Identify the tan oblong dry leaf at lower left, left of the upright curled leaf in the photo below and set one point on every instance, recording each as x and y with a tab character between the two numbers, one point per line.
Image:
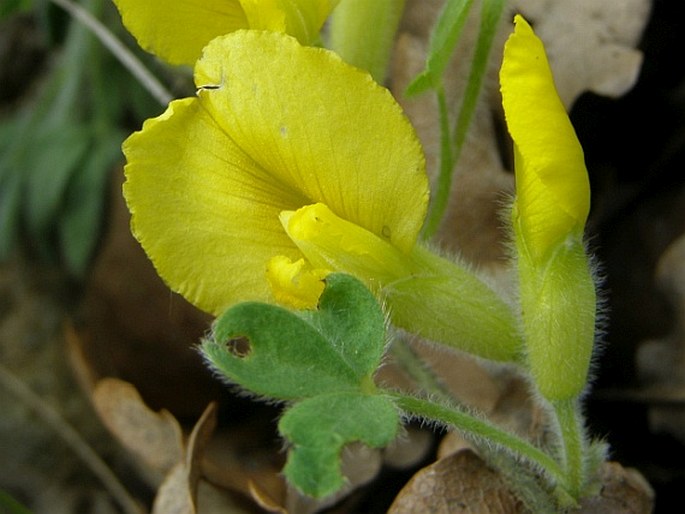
154	438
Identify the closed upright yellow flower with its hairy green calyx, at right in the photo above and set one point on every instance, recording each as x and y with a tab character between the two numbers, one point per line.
556	287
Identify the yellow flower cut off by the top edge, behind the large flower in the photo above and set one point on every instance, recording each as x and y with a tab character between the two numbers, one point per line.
177	31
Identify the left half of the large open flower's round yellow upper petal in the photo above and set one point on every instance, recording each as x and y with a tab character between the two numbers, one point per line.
203	211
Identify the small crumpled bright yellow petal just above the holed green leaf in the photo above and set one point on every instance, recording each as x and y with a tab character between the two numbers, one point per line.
293	284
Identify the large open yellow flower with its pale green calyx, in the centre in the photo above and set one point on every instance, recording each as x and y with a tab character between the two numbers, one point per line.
288	165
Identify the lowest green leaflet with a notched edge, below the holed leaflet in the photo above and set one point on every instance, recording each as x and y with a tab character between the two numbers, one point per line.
318	429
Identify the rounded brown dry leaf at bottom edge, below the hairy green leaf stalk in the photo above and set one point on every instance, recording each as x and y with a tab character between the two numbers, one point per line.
458	484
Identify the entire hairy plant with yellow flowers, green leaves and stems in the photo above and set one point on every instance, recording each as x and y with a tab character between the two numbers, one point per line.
288	198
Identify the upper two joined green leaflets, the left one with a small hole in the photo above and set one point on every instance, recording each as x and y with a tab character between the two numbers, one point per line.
288	355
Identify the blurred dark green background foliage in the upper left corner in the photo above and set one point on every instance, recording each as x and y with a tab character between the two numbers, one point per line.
61	141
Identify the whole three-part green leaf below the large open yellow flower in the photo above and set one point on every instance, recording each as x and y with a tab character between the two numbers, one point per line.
324	360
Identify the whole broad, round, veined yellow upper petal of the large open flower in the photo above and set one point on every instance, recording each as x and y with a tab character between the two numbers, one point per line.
207	180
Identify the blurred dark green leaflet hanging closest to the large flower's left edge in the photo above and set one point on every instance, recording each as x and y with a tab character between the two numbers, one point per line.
81	218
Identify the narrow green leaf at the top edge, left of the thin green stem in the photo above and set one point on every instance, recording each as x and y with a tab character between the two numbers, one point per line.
444	38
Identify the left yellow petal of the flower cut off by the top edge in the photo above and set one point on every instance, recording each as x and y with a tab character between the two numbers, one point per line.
177	31
